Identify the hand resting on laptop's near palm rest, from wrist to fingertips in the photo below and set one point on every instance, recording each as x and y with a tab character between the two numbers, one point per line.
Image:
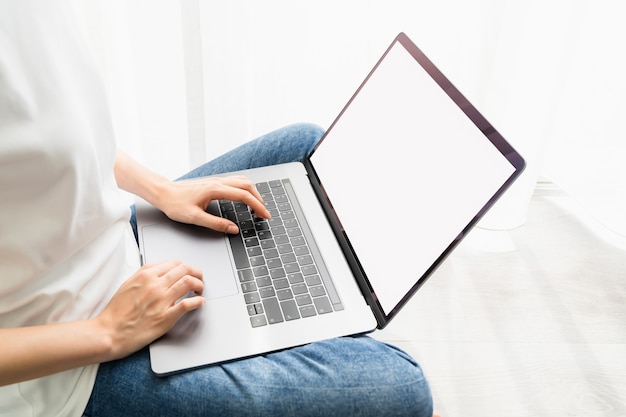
148	305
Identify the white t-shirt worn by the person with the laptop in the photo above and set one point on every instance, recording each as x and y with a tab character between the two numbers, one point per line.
65	242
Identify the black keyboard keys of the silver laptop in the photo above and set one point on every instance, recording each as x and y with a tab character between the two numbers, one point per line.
280	270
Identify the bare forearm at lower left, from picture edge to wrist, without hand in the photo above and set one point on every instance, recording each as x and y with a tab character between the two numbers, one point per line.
32	352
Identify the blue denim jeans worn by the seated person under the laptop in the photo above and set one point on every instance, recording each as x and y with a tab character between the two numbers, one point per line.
348	376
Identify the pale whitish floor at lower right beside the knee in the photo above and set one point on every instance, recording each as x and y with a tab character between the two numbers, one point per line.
529	322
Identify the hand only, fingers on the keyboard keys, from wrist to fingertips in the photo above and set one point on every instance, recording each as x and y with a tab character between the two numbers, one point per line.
186	201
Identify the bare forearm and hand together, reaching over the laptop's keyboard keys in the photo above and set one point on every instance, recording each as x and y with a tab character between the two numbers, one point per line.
186	201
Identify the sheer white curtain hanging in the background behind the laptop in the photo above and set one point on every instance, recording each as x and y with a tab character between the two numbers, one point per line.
190	79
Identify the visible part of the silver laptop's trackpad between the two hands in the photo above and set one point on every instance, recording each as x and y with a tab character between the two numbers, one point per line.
202	248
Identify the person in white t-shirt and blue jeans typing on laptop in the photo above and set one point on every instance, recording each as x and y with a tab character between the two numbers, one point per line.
76	309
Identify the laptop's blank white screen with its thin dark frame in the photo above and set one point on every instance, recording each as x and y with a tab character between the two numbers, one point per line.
408	167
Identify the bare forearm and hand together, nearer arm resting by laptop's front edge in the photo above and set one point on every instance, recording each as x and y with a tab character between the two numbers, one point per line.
143	309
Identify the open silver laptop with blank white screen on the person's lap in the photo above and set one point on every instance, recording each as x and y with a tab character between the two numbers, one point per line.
400	177
